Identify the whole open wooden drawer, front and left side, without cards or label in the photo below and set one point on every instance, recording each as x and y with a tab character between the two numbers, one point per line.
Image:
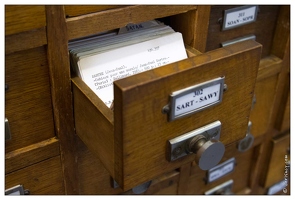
131	140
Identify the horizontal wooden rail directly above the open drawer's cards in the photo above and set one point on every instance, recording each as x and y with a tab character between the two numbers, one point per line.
94	23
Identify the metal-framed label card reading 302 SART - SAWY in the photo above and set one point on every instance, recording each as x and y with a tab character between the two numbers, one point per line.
195	98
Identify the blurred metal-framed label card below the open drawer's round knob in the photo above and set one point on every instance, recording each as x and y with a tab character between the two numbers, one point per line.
220	170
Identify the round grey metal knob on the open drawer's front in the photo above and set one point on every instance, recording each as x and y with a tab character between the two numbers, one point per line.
208	152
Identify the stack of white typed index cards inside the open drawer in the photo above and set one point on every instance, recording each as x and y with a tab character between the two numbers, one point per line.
100	60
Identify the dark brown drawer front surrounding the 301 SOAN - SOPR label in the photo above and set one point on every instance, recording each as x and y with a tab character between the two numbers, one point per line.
263	28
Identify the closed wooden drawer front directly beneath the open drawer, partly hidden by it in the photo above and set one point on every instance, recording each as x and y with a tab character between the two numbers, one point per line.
95	179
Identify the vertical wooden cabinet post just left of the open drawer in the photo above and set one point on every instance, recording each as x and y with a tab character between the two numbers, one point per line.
59	70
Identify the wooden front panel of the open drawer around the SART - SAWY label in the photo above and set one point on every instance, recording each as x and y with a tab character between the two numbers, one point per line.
142	130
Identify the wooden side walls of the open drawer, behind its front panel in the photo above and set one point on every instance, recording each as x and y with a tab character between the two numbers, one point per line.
88	105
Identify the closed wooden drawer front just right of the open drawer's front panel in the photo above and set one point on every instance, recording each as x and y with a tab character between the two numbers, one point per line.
265	91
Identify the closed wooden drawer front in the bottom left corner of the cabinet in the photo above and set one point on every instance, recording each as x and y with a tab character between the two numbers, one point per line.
41	179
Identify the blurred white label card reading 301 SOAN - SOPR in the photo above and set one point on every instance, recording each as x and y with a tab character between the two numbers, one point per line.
239	16
